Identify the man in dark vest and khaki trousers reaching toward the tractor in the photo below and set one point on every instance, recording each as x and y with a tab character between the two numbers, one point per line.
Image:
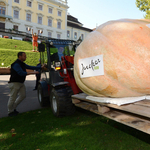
16	82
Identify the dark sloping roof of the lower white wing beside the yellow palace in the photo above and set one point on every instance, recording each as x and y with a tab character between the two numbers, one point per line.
73	22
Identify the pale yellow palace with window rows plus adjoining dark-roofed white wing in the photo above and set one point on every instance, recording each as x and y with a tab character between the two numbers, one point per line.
50	16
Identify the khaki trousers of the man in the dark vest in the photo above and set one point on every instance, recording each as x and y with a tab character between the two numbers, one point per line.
16	89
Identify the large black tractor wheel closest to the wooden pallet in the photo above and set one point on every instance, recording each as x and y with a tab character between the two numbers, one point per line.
61	102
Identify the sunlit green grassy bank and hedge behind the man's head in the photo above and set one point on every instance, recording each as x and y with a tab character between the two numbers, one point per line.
8	52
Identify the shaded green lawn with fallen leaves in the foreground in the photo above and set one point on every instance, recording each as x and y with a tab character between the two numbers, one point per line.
41	130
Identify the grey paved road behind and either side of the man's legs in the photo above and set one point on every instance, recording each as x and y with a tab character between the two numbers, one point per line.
29	103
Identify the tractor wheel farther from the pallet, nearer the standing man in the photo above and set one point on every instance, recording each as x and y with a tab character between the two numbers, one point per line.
44	101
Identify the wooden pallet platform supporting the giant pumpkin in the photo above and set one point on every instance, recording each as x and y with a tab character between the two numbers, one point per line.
135	115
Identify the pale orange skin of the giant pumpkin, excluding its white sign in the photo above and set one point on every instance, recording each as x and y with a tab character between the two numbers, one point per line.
125	46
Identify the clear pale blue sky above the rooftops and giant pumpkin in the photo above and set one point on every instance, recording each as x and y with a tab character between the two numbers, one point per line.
96	12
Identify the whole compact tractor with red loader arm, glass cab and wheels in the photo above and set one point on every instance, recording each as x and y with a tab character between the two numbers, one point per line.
57	82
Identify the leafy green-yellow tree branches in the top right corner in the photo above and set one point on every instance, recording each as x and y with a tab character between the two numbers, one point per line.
144	5
